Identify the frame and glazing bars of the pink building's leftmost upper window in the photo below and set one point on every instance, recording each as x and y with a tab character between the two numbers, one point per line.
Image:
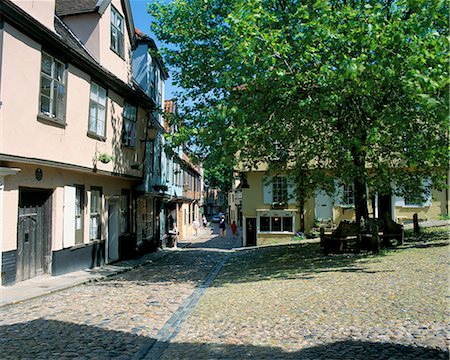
50	116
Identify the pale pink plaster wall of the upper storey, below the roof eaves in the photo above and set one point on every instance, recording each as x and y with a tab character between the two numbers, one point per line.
23	135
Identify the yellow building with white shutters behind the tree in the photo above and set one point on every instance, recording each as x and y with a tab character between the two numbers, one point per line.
271	214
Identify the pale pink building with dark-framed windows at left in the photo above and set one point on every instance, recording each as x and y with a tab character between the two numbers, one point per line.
73	138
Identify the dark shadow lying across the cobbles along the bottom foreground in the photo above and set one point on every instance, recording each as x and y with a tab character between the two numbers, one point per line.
49	339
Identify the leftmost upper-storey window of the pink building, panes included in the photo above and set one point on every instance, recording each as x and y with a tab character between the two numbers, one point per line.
53	88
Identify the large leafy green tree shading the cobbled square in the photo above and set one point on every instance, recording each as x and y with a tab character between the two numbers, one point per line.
324	90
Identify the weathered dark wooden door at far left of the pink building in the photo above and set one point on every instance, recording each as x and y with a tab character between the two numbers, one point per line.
33	233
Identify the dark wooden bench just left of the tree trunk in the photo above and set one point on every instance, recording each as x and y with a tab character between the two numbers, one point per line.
345	237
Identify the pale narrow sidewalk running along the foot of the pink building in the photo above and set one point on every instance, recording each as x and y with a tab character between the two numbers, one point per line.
46	284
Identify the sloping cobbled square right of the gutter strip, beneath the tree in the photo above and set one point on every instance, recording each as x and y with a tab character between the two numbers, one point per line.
292	303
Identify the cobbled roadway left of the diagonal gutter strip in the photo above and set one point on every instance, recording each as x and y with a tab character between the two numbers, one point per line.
111	319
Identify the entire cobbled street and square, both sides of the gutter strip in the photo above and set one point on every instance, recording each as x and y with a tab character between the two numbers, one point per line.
280	302
